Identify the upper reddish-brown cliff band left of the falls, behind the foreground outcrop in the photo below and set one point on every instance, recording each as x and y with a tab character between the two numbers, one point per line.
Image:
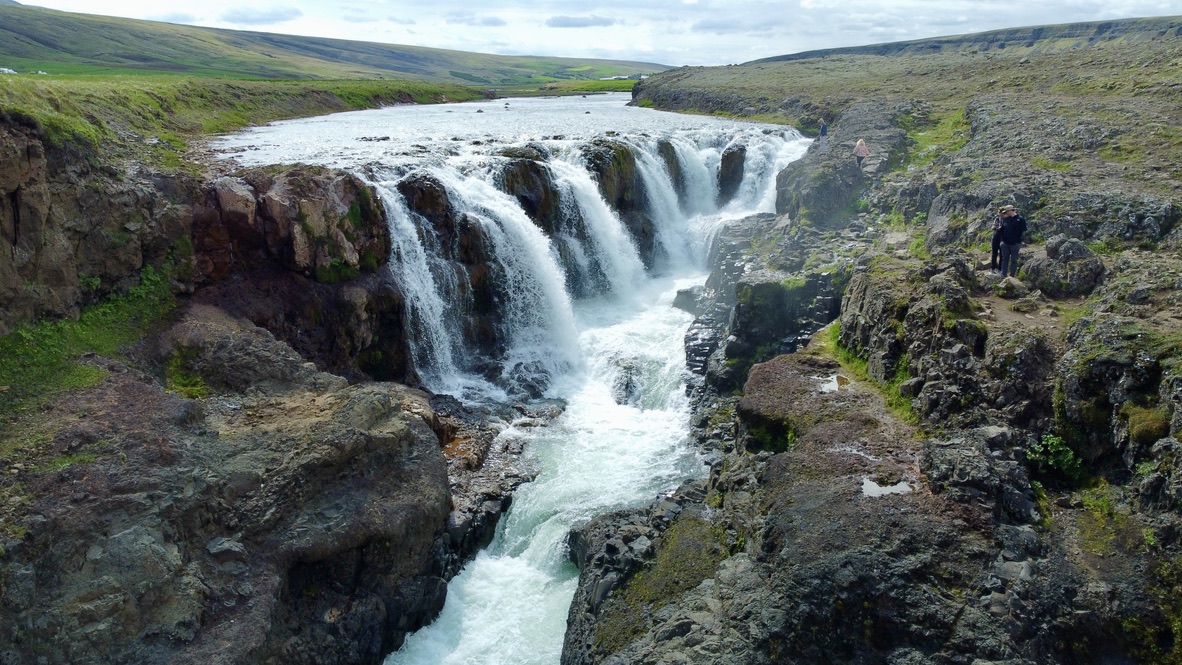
76	234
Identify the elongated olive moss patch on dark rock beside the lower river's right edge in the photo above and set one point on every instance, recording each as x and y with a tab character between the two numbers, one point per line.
689	552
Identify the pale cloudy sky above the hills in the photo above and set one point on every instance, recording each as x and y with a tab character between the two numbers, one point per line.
672	32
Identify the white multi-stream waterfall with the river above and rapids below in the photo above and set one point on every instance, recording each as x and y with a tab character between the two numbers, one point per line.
616	357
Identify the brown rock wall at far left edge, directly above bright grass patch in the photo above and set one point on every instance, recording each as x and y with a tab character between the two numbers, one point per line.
70	234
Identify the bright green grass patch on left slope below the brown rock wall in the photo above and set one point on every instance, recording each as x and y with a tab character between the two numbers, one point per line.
44	360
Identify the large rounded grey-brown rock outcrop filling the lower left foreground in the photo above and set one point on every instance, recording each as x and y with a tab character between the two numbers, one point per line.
301	520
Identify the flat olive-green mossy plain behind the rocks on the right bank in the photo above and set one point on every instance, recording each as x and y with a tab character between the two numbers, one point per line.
1123	87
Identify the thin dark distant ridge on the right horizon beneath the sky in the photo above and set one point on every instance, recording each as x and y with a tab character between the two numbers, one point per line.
1036	40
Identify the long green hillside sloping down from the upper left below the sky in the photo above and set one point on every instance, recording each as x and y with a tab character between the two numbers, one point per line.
62	43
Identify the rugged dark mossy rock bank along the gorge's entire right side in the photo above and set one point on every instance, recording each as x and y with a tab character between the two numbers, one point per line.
962	467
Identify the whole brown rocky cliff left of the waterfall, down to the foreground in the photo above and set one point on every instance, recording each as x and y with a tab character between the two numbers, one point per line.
262	510
